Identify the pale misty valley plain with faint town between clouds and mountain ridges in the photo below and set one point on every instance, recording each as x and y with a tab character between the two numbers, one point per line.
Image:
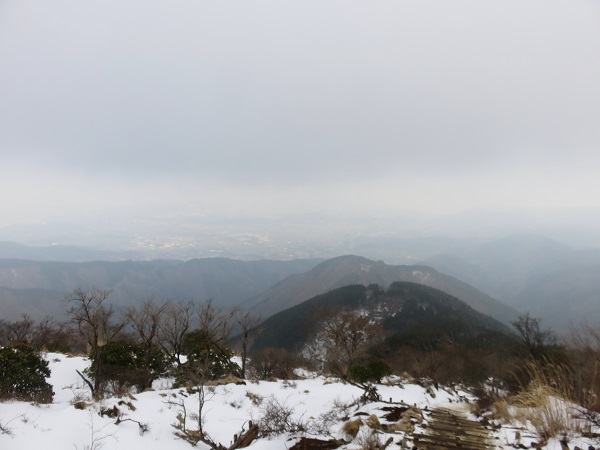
172	233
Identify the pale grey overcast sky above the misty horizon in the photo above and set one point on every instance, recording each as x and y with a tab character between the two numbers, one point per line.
279	106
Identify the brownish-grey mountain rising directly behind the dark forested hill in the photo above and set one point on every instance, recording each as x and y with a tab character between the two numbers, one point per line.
351	269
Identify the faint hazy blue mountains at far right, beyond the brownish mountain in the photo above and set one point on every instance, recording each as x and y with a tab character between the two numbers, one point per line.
532	273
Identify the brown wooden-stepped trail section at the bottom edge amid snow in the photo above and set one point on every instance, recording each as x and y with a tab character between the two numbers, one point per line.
450	429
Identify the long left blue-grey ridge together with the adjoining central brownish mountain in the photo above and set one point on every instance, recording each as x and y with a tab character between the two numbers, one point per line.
263	287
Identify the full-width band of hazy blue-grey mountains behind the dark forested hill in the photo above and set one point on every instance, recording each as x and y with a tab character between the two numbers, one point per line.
500	278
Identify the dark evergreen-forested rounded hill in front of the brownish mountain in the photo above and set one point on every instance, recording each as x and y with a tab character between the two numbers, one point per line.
402	307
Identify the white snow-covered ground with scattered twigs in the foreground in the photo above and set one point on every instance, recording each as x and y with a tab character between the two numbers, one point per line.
316	402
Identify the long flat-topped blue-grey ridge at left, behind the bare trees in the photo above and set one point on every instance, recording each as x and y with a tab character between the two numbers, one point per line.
38	288
